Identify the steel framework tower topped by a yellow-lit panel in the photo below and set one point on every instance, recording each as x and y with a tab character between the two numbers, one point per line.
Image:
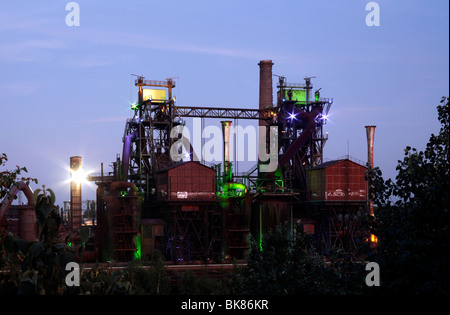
147	139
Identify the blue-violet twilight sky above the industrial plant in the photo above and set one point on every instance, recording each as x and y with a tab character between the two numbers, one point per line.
66	91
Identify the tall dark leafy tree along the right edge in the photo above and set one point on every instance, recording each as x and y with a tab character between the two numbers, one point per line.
412	215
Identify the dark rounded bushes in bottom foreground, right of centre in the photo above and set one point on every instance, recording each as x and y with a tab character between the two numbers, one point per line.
284	265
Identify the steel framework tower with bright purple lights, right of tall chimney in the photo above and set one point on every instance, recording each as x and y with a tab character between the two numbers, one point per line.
300	120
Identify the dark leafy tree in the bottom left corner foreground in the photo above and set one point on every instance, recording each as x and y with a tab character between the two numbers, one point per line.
42	263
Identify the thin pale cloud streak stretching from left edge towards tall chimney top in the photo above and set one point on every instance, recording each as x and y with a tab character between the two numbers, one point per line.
49	35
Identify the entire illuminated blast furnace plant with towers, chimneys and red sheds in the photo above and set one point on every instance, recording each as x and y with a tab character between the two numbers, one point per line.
160	194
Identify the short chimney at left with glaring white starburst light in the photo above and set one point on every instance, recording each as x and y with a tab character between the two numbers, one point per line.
75	193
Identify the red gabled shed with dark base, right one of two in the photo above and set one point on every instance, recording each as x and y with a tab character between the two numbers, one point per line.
337	196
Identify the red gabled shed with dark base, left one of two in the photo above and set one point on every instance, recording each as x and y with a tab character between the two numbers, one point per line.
186	202
